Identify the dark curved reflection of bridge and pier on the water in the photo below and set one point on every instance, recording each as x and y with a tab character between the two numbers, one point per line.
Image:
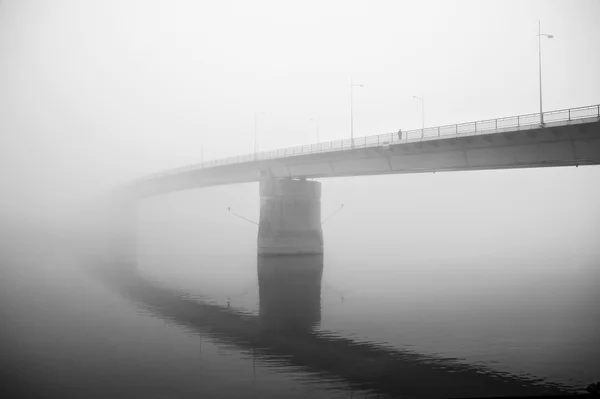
282	335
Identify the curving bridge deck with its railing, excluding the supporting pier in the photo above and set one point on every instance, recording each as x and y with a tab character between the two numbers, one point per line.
569	137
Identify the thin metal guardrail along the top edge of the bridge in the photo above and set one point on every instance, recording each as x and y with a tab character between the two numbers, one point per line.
489	126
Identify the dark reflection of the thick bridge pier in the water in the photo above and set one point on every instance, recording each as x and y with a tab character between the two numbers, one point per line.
290	291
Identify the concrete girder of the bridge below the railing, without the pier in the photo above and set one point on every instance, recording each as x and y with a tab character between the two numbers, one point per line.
575	143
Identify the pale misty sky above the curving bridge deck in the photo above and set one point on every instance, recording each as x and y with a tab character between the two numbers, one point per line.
97	92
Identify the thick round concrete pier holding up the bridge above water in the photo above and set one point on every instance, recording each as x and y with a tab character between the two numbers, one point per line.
290	217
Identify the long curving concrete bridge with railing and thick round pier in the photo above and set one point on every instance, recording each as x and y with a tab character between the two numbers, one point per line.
290	215
